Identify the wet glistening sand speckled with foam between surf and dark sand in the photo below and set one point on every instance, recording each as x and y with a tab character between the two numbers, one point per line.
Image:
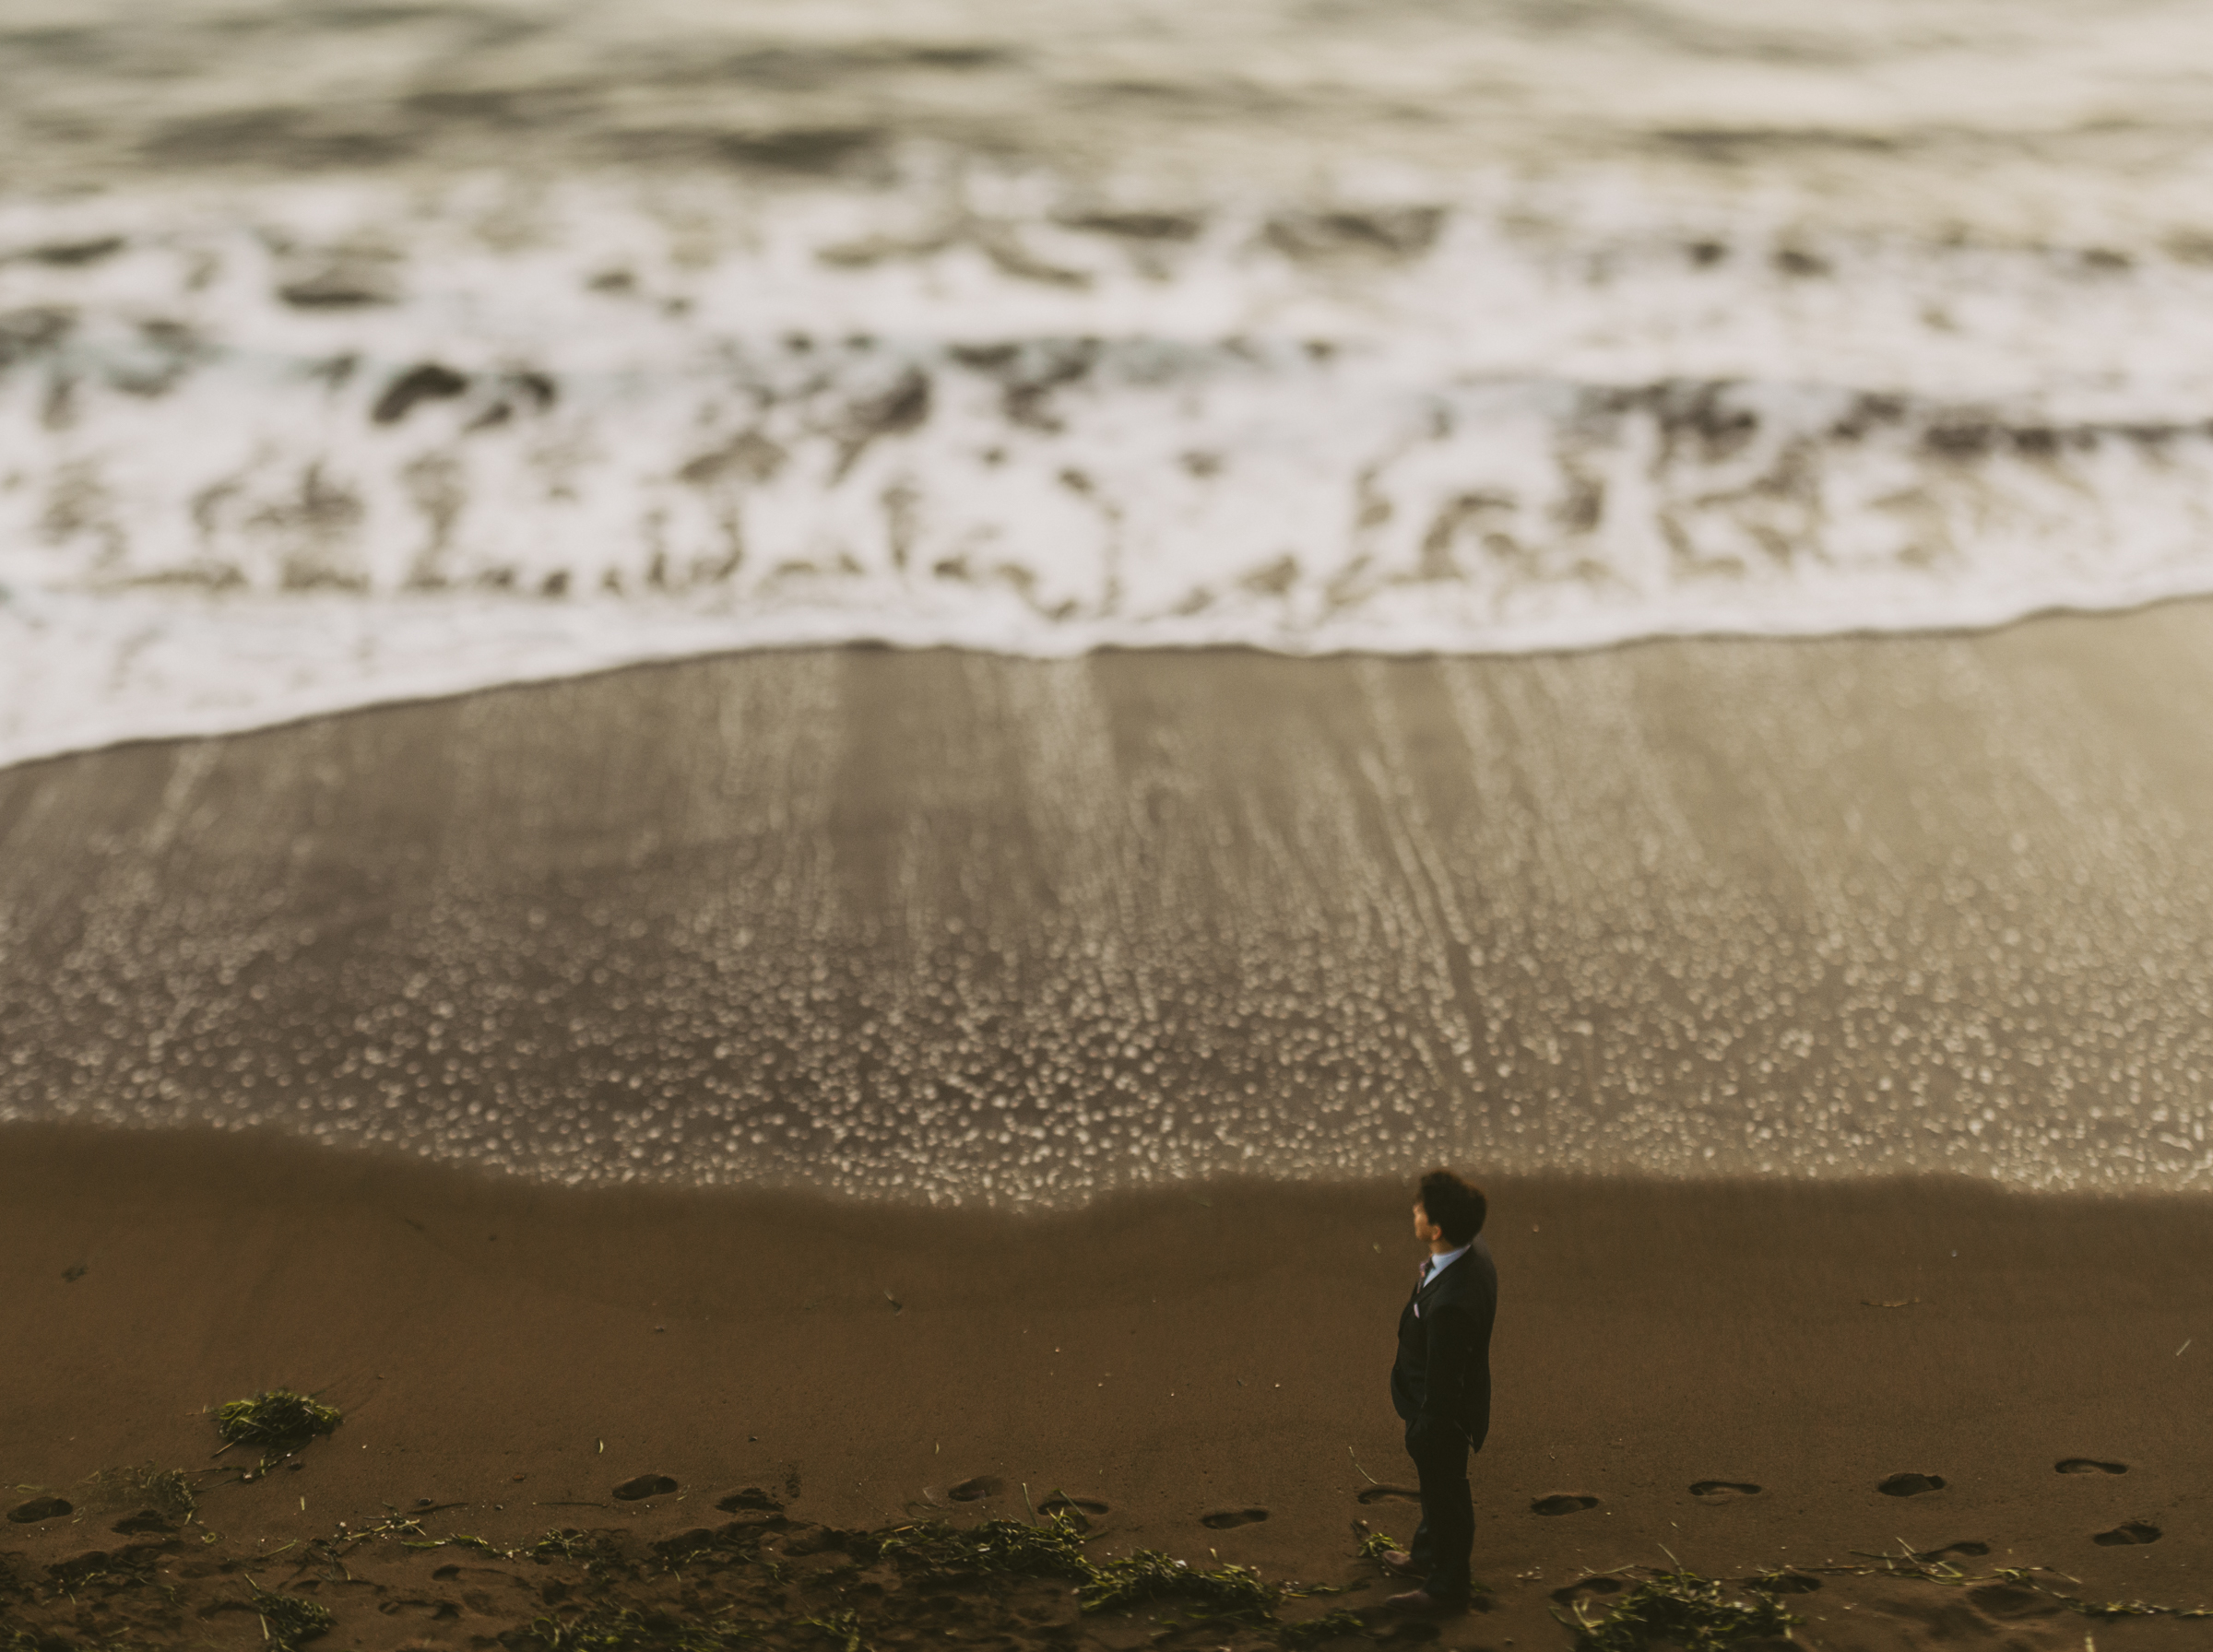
953	928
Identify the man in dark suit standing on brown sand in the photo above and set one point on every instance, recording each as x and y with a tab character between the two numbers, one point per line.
1442	1388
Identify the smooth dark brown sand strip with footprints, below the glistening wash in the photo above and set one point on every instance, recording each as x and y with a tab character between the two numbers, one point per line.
1161	1357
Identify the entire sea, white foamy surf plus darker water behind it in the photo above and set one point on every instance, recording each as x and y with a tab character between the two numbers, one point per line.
371	351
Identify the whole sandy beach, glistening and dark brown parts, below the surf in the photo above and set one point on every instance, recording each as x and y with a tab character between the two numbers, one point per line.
922	1087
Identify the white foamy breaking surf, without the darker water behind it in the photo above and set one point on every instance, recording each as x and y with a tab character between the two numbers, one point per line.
284	450
